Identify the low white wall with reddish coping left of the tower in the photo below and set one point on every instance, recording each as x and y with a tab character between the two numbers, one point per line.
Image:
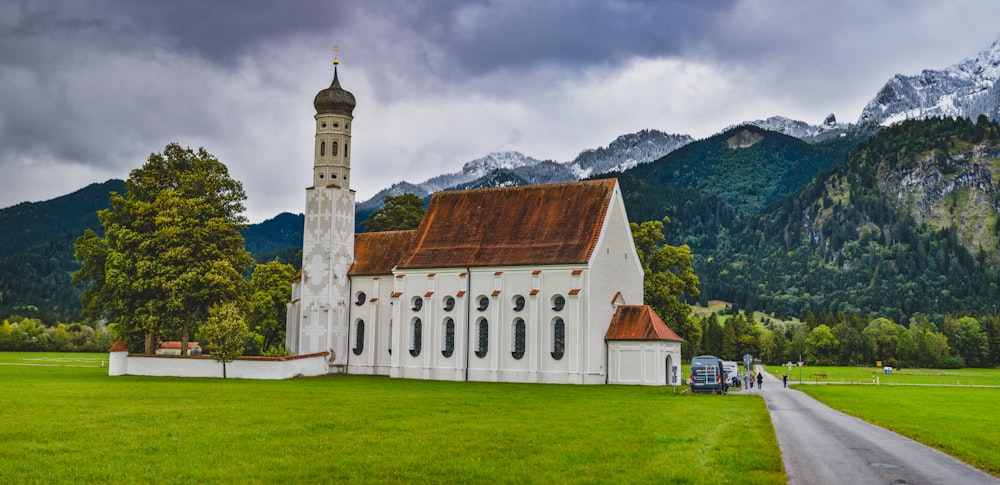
245	368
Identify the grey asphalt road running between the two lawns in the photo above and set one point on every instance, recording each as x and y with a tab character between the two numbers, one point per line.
822	446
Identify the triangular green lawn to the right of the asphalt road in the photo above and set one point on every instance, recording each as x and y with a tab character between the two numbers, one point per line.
960	421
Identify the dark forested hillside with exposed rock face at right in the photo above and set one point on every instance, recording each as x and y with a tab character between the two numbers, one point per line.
907	225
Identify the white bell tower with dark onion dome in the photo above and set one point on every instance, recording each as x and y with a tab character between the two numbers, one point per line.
318	316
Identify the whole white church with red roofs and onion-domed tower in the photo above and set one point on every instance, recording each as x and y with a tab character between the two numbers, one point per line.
525	284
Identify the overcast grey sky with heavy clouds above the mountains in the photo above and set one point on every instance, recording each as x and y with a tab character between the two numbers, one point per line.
89	88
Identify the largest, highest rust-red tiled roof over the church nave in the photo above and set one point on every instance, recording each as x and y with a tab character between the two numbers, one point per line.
538	224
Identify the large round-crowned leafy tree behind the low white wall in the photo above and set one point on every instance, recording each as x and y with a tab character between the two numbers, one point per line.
171	248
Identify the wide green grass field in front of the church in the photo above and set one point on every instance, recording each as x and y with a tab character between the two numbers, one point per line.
65	421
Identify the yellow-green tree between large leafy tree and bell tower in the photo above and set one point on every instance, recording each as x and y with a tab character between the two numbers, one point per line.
271	287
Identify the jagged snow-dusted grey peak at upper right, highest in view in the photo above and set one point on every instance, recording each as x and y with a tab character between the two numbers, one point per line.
967	89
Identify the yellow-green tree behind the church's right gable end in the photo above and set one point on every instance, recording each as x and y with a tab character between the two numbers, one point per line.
669	272
